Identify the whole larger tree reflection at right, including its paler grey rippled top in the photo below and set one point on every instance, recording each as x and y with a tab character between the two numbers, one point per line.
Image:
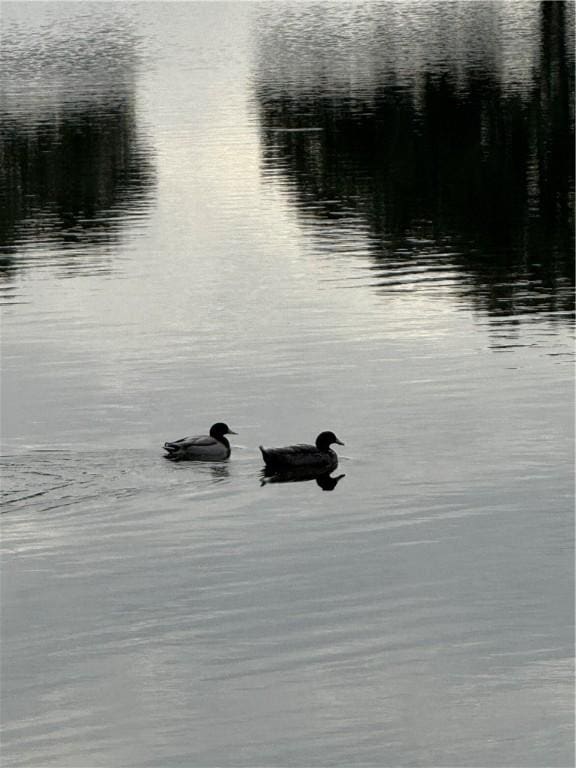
457	174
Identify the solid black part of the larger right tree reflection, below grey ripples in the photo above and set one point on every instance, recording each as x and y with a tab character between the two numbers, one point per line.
483	171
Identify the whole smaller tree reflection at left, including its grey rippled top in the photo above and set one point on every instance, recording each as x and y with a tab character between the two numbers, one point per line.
74	166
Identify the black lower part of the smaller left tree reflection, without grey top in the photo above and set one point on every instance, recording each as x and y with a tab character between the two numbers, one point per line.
71	179
